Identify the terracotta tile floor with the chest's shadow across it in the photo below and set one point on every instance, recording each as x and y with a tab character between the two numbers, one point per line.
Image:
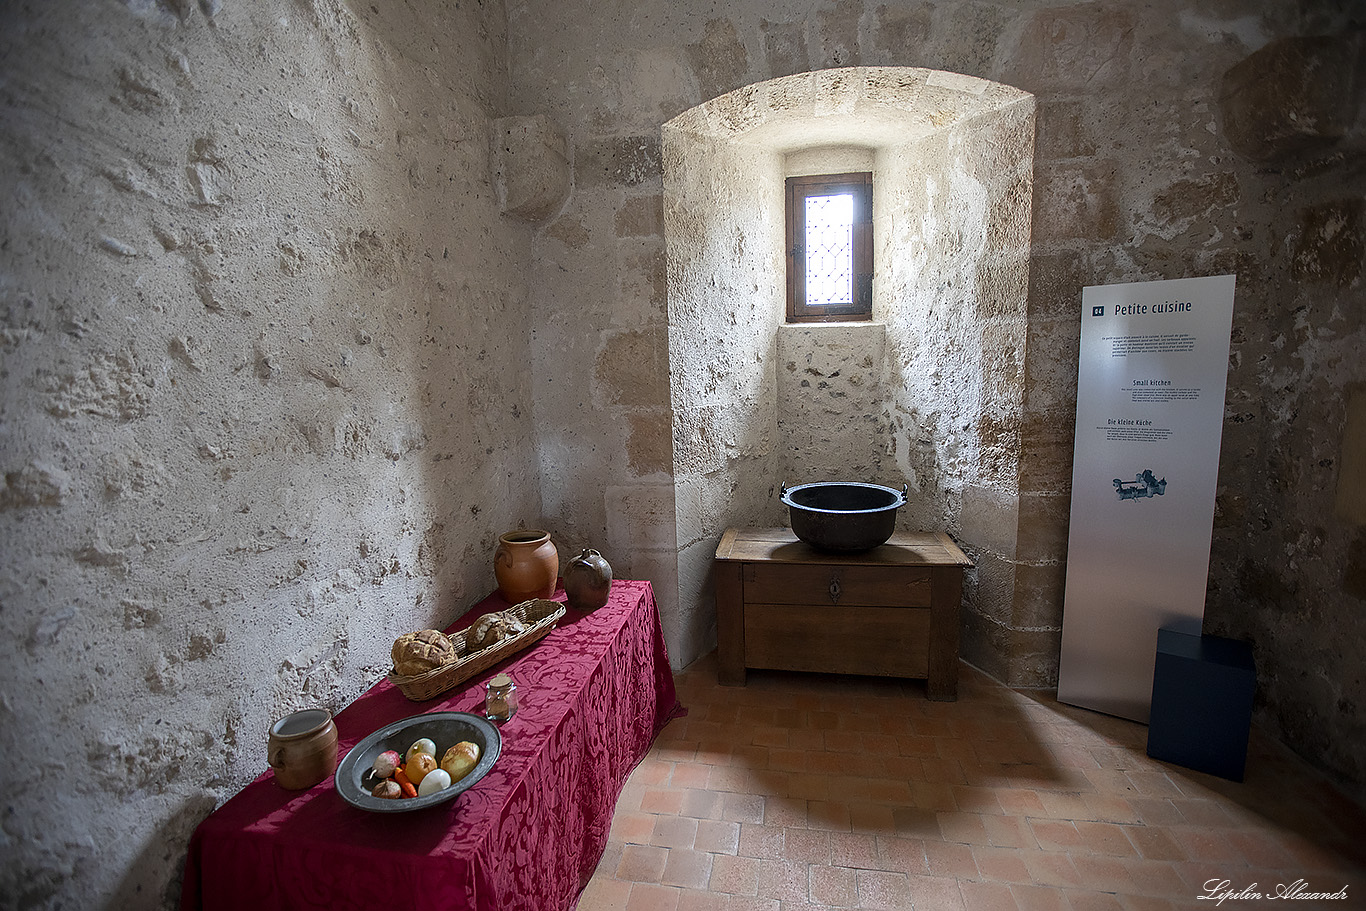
809	791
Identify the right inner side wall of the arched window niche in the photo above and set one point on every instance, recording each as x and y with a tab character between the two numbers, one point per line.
956	312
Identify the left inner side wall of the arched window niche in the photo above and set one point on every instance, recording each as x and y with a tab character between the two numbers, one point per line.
722	313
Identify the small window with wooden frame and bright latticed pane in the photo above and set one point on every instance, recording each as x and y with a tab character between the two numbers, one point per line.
830	248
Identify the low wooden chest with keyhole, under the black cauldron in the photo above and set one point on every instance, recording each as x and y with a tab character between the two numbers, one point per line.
891	611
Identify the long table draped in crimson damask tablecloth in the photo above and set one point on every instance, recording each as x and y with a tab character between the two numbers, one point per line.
528	837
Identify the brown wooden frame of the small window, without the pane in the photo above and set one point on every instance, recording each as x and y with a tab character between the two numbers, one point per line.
797	192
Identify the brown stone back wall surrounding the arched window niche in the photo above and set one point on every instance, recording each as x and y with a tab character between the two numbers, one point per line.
1154	126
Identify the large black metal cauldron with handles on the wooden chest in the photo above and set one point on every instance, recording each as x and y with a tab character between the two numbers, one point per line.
844	516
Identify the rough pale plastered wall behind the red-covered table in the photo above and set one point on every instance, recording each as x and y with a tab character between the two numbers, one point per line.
259	328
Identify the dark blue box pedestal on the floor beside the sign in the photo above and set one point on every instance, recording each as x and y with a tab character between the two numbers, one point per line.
1203	703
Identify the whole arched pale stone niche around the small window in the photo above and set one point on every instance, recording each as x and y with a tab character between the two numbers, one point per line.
930	394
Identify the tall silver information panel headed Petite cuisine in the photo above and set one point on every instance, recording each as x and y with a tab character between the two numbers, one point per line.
1149	423
